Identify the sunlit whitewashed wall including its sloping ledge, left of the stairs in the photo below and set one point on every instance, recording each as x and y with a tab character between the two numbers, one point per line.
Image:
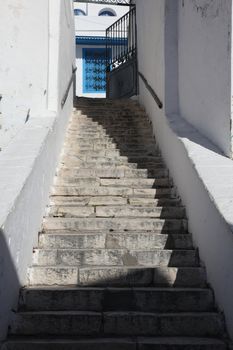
28	163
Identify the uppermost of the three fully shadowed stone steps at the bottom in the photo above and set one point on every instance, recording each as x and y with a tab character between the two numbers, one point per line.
125	299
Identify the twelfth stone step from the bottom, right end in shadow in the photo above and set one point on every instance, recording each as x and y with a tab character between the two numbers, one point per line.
116	172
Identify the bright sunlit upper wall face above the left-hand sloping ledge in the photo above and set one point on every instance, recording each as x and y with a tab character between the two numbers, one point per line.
23	73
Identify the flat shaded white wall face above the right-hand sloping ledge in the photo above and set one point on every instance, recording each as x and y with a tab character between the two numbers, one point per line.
205	68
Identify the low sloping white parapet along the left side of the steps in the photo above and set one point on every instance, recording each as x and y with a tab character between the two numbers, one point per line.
27	168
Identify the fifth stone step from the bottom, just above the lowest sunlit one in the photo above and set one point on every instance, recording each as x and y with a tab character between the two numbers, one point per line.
115	257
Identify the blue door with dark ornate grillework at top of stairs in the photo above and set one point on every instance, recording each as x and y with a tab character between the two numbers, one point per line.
94	70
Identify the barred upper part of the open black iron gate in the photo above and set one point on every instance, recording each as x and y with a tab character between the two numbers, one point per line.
121	41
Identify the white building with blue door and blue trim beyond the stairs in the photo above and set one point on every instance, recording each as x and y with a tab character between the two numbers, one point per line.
91	22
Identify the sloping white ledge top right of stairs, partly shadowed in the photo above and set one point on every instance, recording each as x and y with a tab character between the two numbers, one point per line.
213	168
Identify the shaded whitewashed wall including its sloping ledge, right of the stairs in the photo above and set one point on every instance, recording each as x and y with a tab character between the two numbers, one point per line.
201	173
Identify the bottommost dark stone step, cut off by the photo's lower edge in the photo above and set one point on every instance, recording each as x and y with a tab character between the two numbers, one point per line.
159	343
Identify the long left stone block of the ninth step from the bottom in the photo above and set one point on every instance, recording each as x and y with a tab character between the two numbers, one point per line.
90	200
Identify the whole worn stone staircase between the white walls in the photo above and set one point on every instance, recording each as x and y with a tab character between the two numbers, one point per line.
115	267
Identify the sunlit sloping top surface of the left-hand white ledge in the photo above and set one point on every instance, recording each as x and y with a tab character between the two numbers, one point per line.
18	159
